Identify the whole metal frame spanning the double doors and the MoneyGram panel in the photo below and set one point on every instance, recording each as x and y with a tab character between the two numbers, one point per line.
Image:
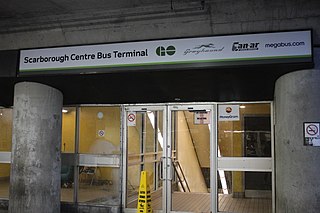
215	161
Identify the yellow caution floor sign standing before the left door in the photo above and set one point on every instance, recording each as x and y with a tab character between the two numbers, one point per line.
144	199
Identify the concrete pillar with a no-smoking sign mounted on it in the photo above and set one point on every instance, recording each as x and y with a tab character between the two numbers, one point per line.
297	100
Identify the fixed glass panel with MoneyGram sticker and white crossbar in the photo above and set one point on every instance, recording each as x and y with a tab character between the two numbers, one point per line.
245	158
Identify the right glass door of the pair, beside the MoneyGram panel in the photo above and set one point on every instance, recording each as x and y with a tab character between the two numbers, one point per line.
191	177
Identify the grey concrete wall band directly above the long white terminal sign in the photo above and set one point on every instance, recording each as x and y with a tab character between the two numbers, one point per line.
154	19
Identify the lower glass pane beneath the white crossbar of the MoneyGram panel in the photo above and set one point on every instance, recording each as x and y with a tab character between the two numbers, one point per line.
245	194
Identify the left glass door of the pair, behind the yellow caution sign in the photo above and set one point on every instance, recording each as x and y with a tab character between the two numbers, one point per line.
145	142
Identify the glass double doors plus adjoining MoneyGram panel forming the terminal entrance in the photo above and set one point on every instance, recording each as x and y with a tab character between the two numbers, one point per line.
197	160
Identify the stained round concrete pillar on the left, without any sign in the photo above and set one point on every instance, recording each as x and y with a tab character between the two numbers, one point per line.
36	145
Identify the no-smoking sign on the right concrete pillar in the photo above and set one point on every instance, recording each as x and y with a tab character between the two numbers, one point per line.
311	133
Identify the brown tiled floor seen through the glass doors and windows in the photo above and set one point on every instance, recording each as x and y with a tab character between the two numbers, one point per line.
187	202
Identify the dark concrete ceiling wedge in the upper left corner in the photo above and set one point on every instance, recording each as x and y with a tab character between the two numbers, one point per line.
15	11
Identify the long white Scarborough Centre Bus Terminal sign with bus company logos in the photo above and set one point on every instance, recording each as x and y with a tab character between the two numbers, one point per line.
205	51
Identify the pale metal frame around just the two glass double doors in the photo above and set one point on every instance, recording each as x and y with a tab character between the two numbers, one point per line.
167	164
